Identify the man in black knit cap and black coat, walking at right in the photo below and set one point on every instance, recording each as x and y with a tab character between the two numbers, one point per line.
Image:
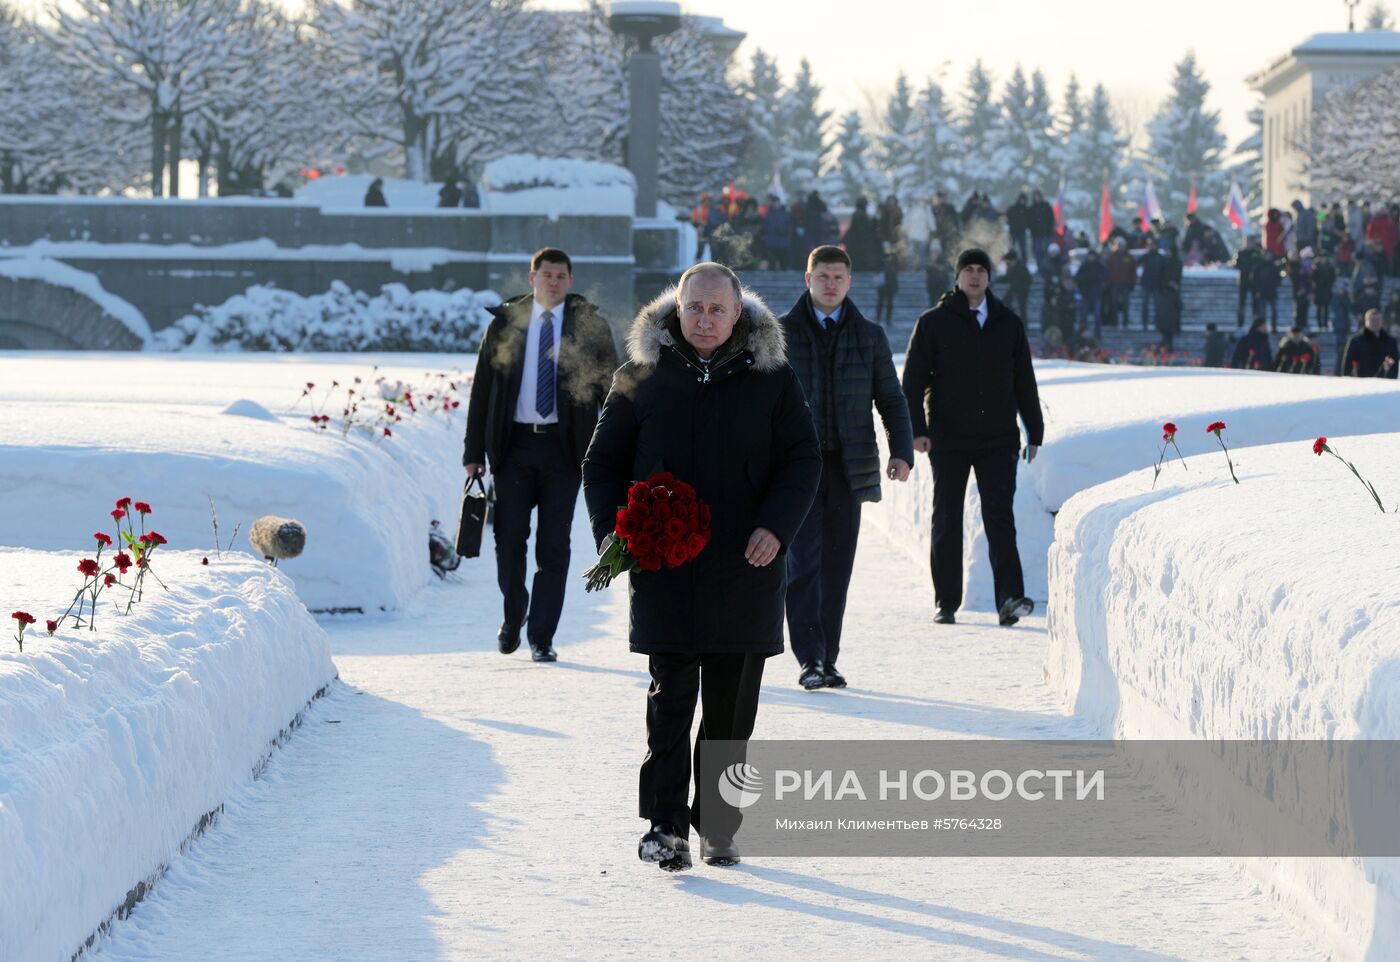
968	375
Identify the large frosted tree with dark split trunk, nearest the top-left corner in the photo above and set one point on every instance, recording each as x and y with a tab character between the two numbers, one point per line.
169	53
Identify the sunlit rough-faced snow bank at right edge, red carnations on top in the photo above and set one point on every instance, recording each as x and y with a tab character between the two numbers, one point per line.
1263	611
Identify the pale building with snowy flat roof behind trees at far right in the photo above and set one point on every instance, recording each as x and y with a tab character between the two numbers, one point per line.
1296	85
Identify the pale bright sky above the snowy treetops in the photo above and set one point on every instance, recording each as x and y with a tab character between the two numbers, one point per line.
1128	46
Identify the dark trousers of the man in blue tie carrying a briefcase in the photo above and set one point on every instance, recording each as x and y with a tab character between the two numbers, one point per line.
537	474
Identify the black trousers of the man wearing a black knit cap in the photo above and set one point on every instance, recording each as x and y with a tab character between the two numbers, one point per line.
996	471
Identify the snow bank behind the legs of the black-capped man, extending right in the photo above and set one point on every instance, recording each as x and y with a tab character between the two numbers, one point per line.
1104	422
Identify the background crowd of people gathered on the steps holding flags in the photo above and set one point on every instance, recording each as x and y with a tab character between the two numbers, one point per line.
1336	261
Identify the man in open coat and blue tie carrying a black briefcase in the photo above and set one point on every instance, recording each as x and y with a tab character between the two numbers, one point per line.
544	369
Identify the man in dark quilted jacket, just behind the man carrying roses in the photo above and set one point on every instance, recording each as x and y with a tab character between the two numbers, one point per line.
845	366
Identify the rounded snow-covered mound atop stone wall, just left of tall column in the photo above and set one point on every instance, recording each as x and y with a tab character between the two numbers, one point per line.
526	184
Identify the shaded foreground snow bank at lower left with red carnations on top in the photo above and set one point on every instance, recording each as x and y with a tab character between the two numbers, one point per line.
115	744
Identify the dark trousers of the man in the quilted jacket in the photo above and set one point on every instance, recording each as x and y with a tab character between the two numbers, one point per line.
820	566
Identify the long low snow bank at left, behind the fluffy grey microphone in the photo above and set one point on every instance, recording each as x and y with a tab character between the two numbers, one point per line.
80	432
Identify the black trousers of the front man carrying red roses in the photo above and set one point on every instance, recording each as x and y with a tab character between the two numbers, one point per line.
729	690
